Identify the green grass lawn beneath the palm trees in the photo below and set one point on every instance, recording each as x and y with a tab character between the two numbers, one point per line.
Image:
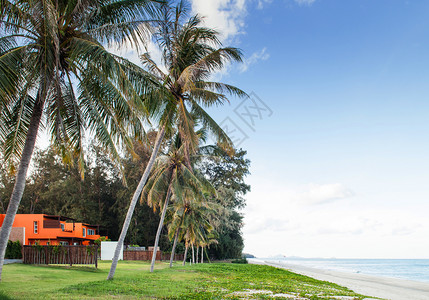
133	281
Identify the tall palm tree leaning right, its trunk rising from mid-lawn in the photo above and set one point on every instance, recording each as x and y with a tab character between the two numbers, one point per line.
191	54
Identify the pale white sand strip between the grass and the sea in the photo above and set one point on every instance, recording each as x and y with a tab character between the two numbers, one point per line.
382	287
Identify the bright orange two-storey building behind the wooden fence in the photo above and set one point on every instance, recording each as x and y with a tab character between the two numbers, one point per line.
43	229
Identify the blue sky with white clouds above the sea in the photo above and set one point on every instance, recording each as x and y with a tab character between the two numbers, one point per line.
340	169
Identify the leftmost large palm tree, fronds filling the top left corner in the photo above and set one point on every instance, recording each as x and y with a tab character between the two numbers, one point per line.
46	46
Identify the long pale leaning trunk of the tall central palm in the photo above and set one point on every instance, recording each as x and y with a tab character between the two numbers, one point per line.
133	203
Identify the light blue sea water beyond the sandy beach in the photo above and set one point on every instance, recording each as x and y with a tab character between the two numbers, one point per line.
410	269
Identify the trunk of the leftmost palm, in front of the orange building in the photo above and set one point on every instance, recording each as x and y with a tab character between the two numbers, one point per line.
18	189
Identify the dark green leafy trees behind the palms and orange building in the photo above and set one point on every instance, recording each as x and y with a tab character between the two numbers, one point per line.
101	198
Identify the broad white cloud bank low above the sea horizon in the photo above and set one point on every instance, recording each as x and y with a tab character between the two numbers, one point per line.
330	220
